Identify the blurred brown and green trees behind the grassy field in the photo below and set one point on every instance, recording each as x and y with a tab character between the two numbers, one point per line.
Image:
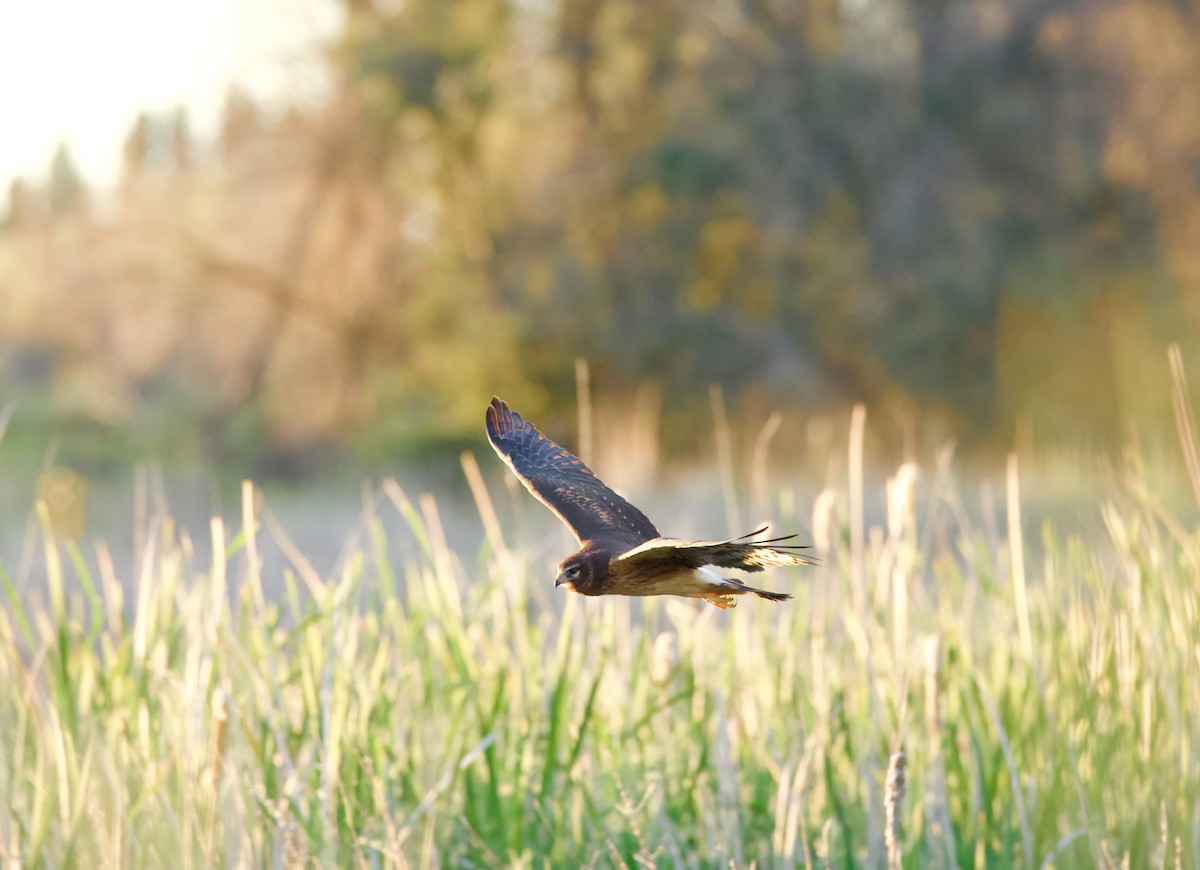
981	215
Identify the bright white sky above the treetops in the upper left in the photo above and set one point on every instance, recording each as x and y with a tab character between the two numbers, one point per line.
81	71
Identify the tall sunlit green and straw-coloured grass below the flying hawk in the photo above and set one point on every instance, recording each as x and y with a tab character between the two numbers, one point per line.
956	686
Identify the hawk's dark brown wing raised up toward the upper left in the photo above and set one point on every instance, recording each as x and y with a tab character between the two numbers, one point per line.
562	482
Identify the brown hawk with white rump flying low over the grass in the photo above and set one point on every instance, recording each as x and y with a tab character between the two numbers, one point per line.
621	551
